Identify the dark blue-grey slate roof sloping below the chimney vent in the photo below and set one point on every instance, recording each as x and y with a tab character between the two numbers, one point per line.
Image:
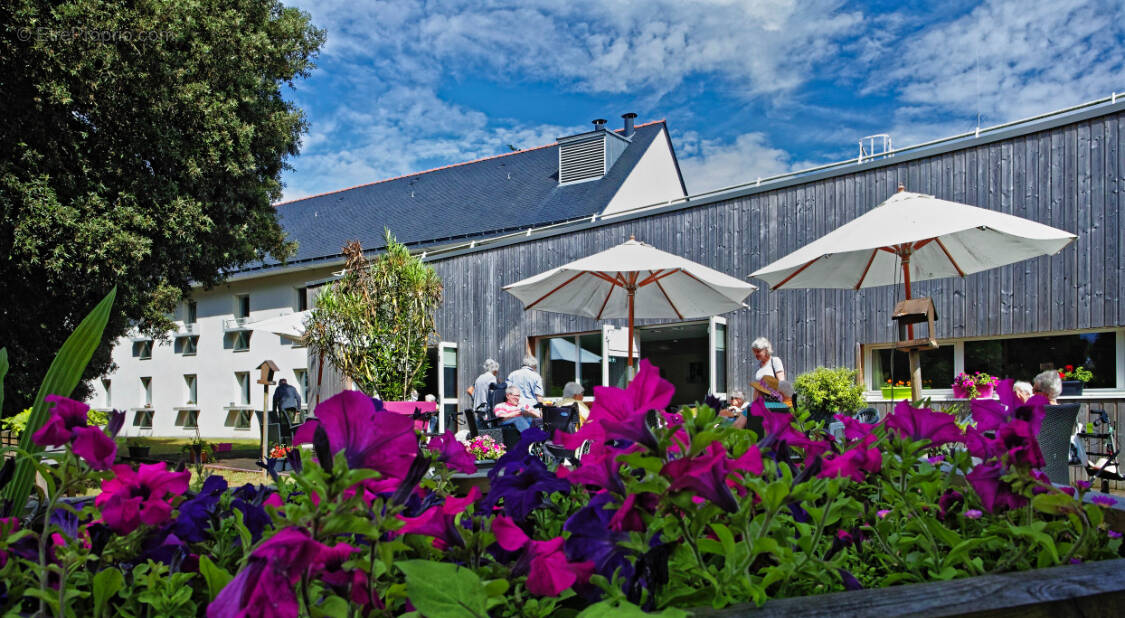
478	199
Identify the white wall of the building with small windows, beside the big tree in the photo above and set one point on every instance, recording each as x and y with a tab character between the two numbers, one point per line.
214	364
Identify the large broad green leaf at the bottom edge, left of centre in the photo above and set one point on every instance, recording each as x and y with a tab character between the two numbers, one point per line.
442	589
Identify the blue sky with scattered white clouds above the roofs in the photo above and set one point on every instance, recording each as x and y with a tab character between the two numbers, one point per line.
749	89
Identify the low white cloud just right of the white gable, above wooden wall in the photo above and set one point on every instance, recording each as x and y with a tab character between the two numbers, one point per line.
709	165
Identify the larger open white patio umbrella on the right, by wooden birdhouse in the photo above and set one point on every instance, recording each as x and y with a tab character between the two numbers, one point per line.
912	238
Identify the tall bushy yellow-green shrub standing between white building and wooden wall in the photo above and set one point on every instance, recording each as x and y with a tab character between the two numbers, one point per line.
375	324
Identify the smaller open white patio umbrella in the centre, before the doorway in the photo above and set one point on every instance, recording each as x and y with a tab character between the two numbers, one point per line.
633	281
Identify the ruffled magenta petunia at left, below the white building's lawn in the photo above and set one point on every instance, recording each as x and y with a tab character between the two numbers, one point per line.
143	496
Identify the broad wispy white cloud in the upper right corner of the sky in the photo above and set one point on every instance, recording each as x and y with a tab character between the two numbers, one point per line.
1006	60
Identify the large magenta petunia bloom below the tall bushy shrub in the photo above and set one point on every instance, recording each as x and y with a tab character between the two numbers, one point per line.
373	440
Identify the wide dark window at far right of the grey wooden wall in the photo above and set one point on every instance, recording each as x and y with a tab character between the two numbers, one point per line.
1025	357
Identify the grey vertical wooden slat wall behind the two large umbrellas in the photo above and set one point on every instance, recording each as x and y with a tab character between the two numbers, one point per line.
1069	177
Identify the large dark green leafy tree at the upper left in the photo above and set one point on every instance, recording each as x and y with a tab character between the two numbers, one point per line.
141	146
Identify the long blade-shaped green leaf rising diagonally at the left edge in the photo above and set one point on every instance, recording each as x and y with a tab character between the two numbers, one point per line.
62	378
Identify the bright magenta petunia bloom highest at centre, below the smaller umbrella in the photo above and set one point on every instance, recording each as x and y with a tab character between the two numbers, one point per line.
622	414
